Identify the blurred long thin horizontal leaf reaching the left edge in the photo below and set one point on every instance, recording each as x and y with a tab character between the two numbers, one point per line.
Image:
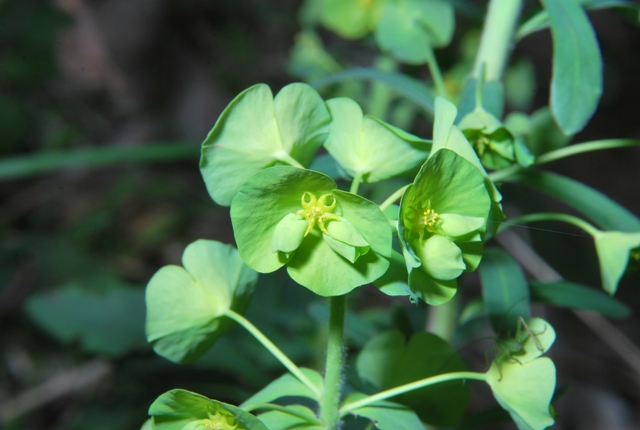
24	166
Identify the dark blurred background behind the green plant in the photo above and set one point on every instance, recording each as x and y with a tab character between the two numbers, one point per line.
103	105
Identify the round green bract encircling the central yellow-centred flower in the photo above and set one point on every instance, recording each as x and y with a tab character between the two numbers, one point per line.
274	193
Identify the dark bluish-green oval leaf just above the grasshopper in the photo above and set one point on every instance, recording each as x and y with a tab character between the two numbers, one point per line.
505	291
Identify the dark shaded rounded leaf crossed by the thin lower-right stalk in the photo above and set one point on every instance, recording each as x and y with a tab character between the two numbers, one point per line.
387	362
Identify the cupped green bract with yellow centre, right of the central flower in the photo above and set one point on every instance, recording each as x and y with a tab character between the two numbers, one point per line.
442	222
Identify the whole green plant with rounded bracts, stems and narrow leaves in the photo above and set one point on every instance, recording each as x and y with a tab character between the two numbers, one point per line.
261	159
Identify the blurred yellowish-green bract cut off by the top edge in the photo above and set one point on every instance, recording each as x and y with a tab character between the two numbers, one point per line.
351	19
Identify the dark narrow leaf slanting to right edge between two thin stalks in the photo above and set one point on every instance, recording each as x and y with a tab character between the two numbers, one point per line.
591	203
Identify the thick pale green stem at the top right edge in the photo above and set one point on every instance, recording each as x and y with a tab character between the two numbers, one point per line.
496	39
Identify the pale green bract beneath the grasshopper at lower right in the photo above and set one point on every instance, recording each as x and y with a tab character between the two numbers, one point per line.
525	391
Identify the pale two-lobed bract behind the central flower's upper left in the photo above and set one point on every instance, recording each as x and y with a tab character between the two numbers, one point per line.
257	131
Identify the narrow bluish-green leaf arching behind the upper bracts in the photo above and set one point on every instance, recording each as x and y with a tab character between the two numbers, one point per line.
407	87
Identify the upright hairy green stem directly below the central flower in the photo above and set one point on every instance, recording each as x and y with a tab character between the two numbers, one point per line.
333	370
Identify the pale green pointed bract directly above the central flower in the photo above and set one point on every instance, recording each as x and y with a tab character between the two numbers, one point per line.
367	147
